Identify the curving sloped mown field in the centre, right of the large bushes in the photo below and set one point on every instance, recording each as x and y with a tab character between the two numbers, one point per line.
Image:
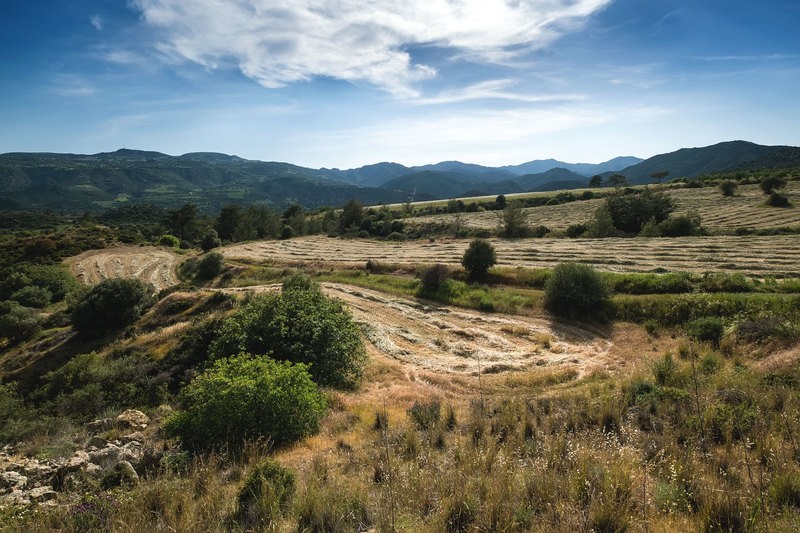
451	340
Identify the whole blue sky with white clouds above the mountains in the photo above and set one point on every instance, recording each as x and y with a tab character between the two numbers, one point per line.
344	83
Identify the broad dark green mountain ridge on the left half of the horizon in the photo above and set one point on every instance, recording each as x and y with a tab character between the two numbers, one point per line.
71	182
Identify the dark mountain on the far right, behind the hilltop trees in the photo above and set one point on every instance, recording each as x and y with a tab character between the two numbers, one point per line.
692	162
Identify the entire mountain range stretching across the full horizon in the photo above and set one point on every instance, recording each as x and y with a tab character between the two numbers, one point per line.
74	182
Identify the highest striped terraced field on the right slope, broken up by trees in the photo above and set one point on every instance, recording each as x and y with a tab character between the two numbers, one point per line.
746	209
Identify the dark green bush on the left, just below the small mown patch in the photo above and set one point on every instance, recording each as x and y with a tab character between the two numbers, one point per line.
111	304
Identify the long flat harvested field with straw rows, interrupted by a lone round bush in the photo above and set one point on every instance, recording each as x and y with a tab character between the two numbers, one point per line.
752	255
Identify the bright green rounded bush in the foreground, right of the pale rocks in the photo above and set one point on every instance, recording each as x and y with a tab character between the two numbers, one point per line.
245	397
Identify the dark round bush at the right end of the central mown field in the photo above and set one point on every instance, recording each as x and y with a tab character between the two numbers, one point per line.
575	290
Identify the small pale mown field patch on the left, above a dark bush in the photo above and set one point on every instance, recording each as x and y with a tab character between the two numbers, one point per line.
151	265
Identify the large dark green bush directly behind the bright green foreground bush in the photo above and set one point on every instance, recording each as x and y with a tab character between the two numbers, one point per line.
298	325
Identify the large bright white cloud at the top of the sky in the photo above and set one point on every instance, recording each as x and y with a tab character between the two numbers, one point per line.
277	42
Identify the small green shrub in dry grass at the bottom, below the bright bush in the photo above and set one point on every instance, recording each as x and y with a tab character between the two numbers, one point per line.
266	493
